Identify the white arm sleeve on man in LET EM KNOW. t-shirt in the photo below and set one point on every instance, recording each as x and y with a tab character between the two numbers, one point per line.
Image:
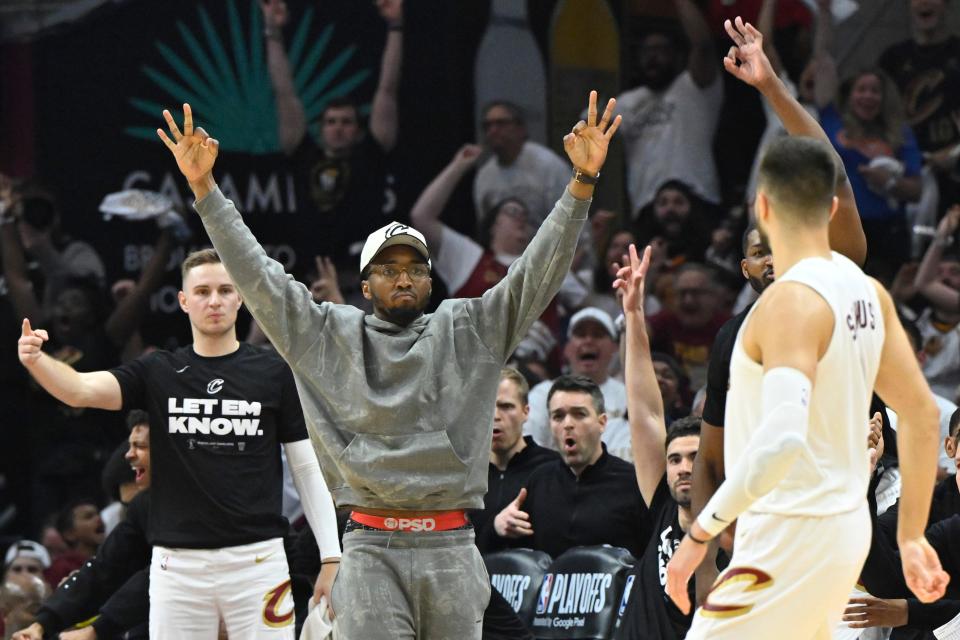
314	496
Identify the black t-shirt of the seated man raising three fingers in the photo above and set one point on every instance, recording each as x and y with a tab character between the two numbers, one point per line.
650	614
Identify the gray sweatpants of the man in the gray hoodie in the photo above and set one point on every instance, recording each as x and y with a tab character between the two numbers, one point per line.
423	586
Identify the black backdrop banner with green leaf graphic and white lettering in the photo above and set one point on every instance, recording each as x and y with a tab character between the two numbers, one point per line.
101	83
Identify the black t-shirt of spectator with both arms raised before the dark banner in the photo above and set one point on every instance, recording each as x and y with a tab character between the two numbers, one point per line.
340	200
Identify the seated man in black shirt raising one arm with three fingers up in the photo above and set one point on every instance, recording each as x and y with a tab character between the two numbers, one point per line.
664	465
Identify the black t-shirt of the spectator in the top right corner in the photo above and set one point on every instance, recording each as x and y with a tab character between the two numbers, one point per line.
928	77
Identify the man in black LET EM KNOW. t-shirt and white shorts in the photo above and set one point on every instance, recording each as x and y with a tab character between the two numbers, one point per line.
219	411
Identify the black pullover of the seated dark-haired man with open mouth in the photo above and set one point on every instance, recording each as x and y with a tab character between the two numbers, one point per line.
602	506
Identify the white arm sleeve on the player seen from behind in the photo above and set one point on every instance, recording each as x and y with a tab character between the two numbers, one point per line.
771	452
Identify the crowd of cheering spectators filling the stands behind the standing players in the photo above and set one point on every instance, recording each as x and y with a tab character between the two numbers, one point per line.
563	452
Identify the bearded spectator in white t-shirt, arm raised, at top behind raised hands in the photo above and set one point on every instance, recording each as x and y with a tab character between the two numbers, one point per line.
670	120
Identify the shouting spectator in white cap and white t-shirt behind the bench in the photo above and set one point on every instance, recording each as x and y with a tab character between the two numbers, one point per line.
591	346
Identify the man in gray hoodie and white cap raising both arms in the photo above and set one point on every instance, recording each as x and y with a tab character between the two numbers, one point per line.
399	404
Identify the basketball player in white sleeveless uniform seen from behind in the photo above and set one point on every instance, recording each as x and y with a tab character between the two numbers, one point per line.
804	364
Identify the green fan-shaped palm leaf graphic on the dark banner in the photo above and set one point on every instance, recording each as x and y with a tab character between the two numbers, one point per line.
222	72
